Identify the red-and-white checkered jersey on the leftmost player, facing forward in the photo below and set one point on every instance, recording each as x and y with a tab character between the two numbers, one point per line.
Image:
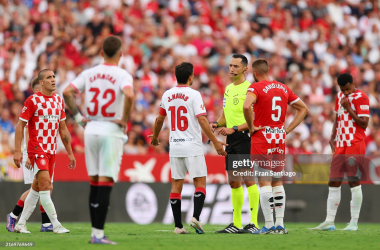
43	114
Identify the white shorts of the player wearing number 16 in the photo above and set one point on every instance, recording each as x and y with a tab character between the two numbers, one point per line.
196	165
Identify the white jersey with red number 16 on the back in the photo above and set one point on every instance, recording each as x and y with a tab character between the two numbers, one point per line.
183	105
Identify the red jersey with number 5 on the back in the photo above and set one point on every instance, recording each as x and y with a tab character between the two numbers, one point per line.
272	98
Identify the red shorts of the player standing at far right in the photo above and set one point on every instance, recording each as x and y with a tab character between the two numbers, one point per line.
348	160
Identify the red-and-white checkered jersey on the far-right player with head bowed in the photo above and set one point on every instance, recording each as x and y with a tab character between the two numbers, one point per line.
347	131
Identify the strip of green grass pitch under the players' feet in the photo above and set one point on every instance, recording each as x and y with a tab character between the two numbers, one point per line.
132	236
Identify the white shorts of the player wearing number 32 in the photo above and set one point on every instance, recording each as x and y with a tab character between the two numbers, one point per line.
103	155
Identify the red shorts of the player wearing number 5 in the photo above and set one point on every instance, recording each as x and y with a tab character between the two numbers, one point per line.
269	156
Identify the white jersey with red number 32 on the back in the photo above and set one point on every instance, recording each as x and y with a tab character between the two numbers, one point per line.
104	97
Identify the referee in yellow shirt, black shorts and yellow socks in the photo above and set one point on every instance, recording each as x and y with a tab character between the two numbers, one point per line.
235	128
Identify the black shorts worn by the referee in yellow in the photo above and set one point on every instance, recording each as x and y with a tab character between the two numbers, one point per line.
239	148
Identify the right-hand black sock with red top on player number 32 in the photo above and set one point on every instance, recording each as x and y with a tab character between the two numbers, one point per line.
101	207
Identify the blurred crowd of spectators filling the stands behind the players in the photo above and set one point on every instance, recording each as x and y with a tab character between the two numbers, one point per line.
307	44
